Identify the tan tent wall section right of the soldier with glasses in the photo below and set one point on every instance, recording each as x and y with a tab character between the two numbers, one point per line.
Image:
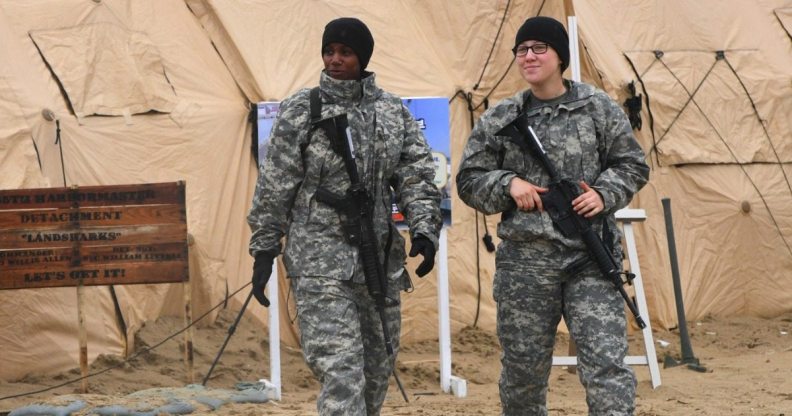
731	262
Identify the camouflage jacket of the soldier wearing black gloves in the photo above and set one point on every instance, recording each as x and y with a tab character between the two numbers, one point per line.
390	152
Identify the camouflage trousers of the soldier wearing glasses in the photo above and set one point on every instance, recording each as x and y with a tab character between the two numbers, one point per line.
529	308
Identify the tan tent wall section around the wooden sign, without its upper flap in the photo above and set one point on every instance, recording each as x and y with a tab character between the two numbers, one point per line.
210	152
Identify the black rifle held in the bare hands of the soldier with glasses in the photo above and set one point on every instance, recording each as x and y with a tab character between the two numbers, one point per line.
558	204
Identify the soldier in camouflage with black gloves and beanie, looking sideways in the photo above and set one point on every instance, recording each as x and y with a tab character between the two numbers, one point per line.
340	328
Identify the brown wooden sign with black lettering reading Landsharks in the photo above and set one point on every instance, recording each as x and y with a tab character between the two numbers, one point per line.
93	235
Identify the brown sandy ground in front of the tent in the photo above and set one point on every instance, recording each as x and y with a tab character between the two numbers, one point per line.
748	365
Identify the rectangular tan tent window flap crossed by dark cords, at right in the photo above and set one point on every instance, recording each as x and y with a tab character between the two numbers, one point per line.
705	99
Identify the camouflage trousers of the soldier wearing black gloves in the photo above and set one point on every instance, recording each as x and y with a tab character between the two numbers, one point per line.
342	342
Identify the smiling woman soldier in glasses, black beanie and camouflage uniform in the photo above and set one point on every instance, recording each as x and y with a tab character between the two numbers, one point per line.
588	139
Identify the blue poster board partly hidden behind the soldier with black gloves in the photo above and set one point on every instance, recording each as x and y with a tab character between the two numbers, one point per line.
431	113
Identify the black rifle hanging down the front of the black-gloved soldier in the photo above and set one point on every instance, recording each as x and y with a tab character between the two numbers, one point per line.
357	220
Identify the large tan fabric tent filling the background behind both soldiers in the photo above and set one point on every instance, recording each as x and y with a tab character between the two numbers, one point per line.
155	91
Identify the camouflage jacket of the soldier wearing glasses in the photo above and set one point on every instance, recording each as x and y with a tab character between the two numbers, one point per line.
587	137
